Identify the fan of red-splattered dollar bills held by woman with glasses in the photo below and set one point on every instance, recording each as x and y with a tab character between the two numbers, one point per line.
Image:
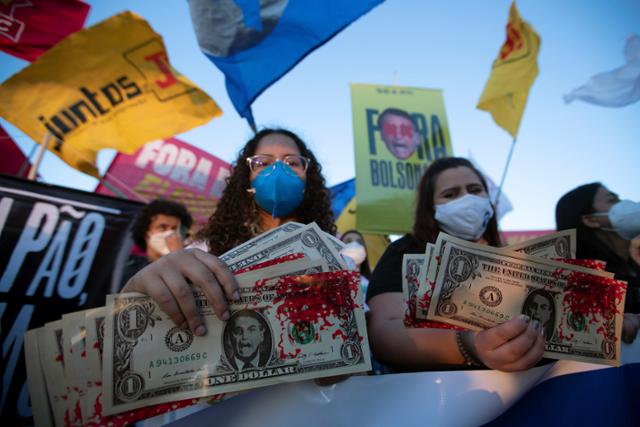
300	316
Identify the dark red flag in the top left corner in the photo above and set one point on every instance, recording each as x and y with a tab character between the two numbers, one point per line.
29	27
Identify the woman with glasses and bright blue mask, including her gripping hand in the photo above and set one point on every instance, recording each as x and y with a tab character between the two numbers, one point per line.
275	179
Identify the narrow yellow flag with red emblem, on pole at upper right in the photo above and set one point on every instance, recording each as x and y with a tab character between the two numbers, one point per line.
514	71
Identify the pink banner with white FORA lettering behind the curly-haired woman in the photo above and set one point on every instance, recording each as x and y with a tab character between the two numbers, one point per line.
169	169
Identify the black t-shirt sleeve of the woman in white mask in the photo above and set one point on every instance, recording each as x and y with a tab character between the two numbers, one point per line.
387	276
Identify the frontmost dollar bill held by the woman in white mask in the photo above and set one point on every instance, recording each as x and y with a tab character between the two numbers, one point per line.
579	309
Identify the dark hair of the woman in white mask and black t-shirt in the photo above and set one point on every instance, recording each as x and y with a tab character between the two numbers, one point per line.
425	227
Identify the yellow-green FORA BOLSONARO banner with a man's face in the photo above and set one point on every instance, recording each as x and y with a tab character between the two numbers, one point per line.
398	132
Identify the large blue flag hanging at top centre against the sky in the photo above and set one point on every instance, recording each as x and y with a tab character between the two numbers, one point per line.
255	42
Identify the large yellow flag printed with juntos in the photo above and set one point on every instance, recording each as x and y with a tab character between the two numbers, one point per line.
108	86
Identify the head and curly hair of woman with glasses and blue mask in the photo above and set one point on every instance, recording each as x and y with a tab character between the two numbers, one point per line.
275	179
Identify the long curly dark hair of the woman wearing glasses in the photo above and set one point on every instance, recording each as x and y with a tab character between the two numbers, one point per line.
236	218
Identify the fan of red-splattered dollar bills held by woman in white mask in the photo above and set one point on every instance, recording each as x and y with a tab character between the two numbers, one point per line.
461	285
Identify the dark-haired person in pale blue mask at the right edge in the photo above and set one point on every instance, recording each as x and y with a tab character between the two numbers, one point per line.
604	227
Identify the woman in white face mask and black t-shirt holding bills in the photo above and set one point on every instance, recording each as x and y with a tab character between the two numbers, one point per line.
452	196
